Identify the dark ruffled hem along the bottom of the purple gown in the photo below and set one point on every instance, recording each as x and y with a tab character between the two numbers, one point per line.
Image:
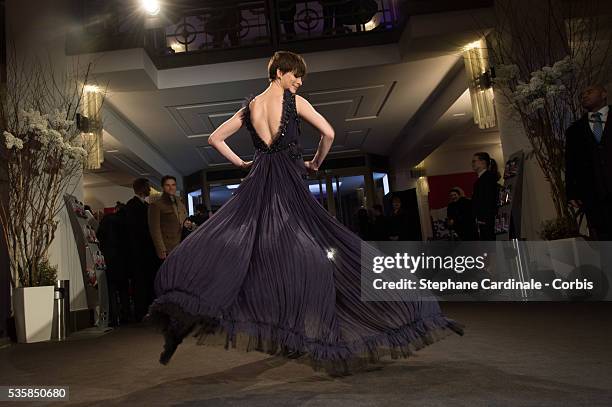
180	314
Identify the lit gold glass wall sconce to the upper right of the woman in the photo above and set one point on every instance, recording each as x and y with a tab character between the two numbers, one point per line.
480	76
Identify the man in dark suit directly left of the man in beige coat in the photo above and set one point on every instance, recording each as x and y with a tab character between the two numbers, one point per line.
143	260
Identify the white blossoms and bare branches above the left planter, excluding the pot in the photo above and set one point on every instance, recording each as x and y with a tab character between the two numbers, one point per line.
44	152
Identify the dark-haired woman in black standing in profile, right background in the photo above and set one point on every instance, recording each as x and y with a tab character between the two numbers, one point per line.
485	195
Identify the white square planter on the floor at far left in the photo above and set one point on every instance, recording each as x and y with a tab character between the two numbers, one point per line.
33	308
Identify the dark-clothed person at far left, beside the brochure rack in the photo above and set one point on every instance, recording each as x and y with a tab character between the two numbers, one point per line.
114	243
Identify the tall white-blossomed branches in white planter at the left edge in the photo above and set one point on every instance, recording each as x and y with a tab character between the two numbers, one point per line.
43	152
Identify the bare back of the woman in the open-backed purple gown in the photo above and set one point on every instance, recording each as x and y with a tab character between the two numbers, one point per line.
266	113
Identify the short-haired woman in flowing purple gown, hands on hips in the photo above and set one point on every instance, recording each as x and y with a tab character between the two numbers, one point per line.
272	265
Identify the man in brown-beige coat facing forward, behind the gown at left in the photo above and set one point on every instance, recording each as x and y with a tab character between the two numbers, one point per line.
166	217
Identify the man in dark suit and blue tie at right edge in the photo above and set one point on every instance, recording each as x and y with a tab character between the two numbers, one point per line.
588	160
